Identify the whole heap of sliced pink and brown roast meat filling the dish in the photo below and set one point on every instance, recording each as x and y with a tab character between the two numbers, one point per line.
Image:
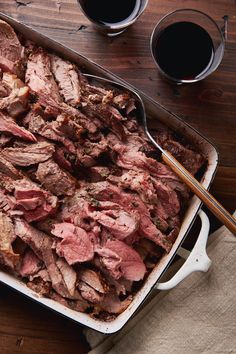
87	208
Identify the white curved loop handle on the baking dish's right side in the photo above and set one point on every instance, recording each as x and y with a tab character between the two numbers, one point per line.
196	260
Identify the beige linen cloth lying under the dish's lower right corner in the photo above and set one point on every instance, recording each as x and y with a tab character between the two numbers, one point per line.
198	316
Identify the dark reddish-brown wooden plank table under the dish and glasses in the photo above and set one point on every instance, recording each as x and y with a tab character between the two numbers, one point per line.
209	106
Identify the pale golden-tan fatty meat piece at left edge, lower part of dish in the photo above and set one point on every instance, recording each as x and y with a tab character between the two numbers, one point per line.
7	236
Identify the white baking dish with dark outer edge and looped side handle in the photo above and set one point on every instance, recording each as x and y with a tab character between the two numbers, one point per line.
198	259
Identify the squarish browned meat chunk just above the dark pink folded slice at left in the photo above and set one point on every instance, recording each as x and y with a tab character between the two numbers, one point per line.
55	179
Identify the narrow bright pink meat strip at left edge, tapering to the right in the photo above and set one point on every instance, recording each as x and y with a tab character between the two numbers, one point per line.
8	125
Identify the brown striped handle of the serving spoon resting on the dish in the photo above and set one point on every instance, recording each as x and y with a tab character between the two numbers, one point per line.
217	209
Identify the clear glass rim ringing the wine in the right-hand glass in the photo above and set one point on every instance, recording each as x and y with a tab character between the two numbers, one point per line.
205	74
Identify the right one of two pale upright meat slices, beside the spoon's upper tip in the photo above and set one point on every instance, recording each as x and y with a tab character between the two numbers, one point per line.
67	79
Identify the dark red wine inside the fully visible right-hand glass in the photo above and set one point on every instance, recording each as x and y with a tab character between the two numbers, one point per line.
184	50
